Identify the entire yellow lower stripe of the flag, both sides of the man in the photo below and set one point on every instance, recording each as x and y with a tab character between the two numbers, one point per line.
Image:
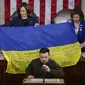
66	55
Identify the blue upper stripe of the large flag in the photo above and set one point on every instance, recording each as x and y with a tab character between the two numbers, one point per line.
30	38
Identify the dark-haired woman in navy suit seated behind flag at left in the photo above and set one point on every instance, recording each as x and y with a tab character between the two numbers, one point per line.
25	17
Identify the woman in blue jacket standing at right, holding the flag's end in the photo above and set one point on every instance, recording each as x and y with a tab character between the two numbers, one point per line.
77	17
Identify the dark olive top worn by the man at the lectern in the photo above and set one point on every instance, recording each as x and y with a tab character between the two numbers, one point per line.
35	69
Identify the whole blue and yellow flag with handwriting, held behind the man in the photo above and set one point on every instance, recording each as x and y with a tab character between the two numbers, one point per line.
21	44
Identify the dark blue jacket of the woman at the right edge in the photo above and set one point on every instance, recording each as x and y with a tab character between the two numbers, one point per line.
81	34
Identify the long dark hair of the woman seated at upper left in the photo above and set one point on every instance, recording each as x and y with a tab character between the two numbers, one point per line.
25	5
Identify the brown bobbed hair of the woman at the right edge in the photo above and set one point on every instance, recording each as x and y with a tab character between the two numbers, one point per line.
79	12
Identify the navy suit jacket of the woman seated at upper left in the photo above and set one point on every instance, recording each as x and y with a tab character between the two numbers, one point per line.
18	22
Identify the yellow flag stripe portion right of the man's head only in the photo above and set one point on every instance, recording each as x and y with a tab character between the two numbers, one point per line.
66	55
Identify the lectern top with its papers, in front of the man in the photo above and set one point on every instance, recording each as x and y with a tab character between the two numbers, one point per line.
40	82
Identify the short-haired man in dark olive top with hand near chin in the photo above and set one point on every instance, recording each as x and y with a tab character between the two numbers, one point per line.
44	67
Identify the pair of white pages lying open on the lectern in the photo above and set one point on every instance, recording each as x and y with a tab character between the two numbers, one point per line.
59	81
